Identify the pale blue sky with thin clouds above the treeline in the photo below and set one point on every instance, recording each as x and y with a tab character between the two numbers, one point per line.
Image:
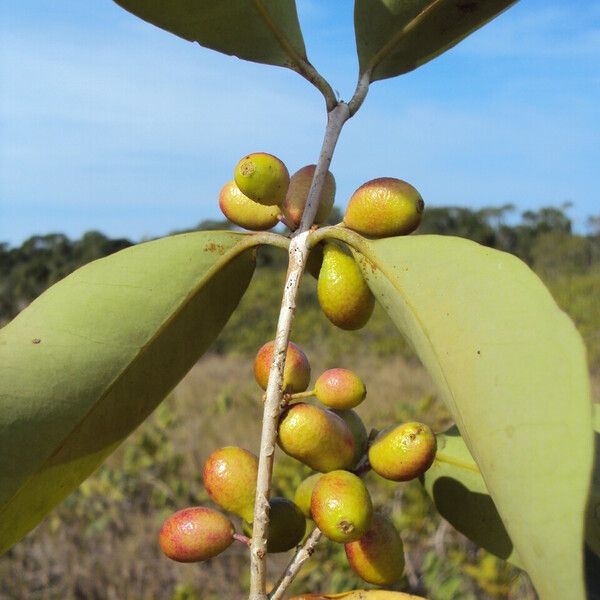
109	123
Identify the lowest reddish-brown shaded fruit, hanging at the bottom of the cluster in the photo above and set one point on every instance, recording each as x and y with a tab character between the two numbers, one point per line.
378	556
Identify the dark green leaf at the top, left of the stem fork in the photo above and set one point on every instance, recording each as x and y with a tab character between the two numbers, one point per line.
263	31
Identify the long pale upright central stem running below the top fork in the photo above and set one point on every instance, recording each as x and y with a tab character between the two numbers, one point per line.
298	254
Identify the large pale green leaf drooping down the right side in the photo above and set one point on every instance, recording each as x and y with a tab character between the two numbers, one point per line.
511	368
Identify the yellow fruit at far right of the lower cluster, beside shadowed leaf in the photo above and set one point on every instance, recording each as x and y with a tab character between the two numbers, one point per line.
403	452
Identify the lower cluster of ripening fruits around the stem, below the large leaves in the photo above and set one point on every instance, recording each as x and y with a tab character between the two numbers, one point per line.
329	437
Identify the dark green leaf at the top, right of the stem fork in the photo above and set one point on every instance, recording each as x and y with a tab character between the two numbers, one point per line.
396	36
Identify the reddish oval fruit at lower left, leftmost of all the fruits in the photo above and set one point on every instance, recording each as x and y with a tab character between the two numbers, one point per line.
195	534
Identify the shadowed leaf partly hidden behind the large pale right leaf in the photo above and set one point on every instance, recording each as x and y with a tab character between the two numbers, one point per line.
458	491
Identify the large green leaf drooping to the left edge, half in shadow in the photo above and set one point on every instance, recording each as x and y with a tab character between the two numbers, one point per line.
88	360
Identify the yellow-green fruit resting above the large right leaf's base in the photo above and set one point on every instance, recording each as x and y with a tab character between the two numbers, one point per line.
384	207
